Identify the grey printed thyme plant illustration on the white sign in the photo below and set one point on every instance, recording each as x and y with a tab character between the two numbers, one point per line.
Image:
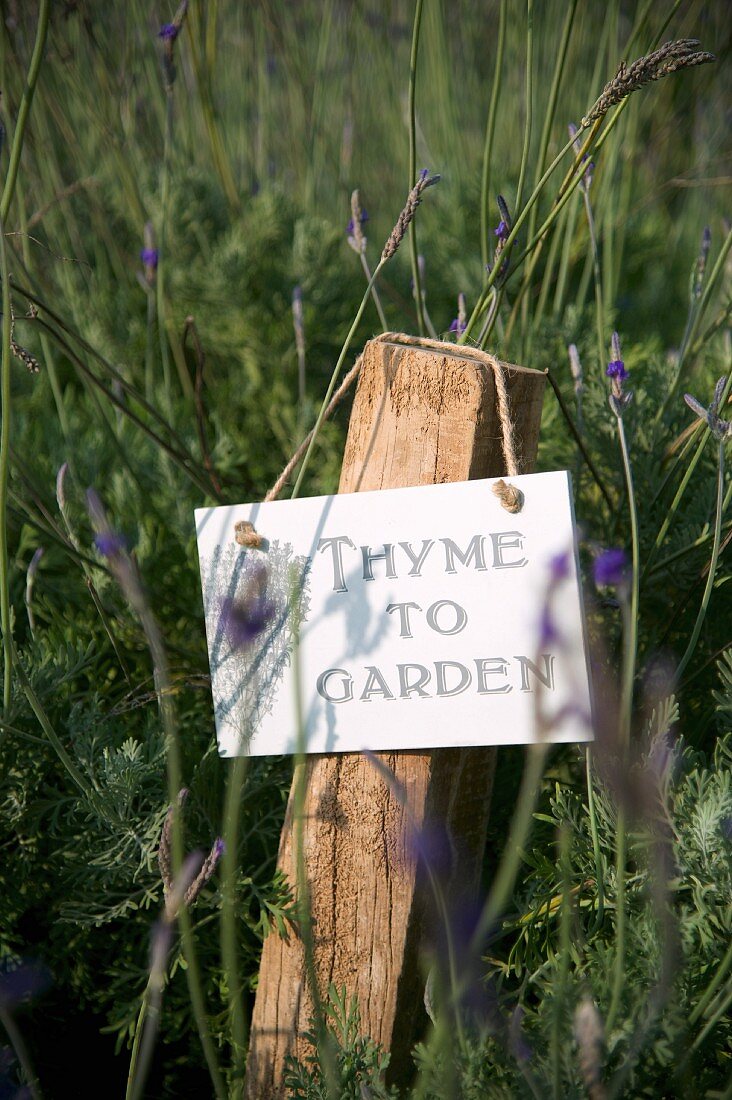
255	602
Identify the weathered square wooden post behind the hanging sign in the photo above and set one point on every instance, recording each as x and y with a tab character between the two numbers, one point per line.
423	414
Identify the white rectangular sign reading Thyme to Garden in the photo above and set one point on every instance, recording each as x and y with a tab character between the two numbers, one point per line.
427	617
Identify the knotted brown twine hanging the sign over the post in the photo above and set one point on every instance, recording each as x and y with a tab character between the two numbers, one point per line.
511	498
